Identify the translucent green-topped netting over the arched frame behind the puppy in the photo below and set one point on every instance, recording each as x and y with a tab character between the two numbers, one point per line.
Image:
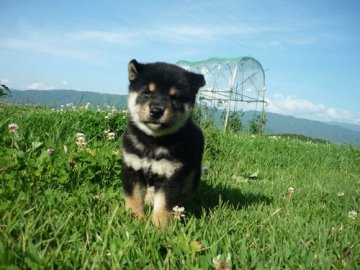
230	81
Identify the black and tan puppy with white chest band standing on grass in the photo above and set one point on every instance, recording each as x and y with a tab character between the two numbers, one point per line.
162	147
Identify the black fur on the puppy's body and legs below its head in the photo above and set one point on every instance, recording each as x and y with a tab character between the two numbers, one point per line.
185	146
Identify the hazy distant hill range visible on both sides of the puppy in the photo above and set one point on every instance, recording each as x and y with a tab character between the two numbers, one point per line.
276	123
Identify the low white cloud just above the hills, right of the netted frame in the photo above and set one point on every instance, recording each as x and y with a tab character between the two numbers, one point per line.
290	105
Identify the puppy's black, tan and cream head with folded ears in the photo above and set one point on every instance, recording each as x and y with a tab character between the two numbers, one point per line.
161	96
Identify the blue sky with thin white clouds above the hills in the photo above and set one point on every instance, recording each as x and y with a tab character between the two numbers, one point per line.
310	50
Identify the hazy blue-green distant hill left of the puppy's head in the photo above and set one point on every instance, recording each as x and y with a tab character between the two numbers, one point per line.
56	98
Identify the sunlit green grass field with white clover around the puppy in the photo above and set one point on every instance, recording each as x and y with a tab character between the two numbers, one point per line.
264	203
